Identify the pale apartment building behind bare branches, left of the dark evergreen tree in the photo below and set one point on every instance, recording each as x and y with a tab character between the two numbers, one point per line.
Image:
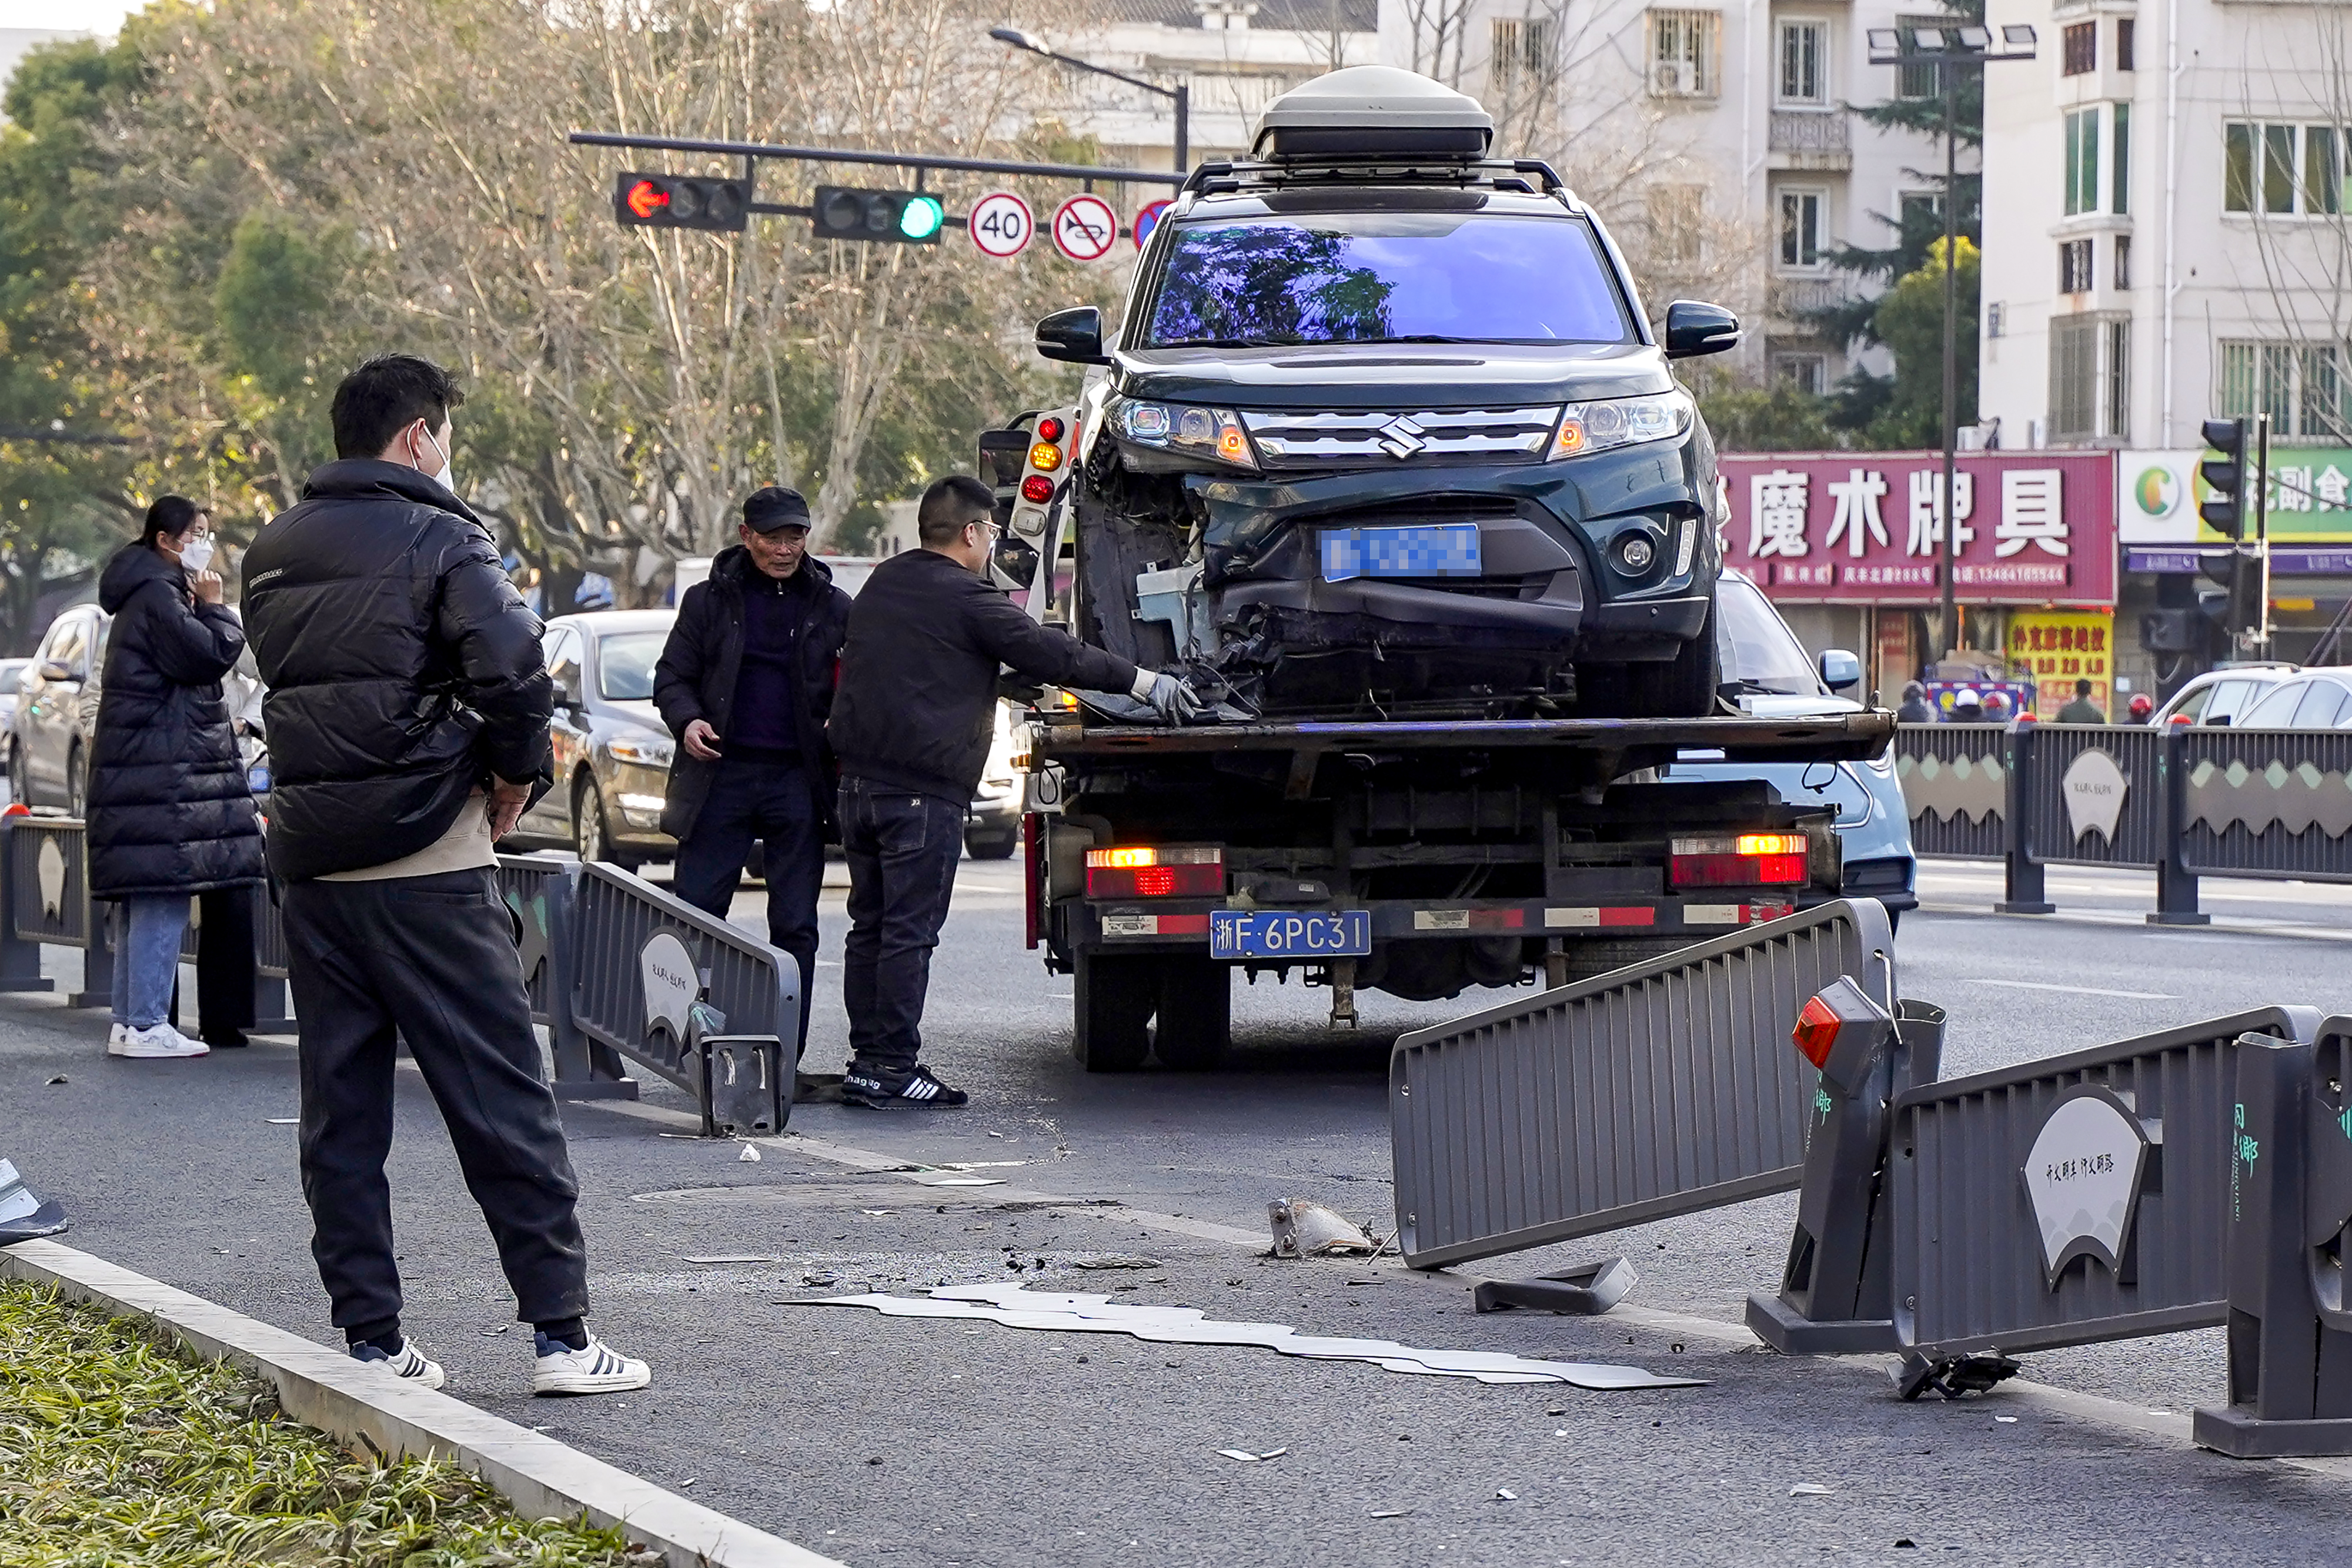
1718	140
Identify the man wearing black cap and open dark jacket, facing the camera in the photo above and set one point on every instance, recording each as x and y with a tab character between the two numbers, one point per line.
747	685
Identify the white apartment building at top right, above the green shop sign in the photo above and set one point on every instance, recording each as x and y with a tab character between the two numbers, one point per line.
2167	225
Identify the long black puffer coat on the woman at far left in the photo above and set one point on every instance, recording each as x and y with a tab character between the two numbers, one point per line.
171	810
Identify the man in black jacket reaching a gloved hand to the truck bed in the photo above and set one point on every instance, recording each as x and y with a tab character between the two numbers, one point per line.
911	728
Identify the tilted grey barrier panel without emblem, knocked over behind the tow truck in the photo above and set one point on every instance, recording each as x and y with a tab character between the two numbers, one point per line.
1633	1097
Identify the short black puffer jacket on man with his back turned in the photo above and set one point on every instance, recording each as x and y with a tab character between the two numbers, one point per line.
401	666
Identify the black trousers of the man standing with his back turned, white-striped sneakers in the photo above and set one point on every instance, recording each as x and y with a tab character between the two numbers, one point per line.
434	960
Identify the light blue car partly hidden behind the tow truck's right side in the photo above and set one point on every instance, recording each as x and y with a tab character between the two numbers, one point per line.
1779	681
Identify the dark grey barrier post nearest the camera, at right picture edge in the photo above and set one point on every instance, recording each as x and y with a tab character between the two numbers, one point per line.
2290	1198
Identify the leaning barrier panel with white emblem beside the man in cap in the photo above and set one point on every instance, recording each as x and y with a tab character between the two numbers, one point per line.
686	996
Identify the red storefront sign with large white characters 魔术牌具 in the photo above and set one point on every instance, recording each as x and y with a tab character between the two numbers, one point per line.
1866	528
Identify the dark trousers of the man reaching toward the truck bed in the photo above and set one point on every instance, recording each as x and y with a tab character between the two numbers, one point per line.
902	857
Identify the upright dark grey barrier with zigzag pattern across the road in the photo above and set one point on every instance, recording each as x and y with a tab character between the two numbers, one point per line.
2186	803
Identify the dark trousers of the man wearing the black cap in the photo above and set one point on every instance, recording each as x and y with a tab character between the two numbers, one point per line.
777	805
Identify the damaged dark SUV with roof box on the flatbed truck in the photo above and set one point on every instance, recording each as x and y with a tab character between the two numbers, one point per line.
1387	434
